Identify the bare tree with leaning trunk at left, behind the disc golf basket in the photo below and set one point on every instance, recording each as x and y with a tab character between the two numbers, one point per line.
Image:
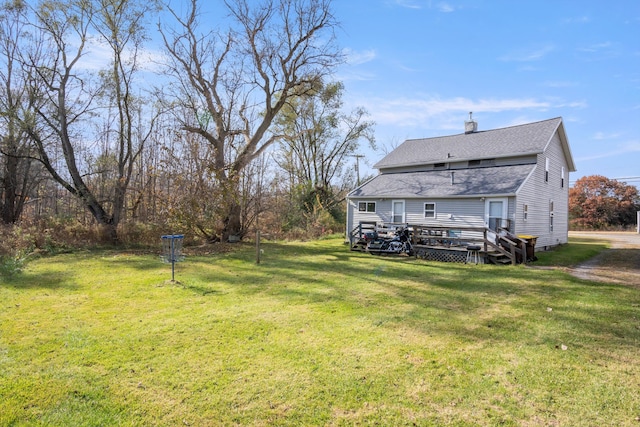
72	97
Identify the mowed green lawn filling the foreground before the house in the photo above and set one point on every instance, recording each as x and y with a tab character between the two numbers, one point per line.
314	335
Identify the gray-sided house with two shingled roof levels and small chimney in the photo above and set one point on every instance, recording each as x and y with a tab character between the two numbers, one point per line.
515	177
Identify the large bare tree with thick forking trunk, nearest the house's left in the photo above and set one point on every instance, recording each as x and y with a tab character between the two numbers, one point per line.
234	82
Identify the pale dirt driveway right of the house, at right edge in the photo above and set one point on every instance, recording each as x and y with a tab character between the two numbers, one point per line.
619	264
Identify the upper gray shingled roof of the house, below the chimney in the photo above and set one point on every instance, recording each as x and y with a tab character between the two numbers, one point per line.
527	139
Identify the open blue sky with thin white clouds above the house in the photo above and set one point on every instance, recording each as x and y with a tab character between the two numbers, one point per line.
420	66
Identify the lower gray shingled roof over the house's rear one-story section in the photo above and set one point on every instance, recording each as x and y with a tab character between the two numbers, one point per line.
490	181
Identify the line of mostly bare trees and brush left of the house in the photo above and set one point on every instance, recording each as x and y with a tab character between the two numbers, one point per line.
234	120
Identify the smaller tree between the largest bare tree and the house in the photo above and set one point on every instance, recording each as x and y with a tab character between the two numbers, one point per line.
318	145
